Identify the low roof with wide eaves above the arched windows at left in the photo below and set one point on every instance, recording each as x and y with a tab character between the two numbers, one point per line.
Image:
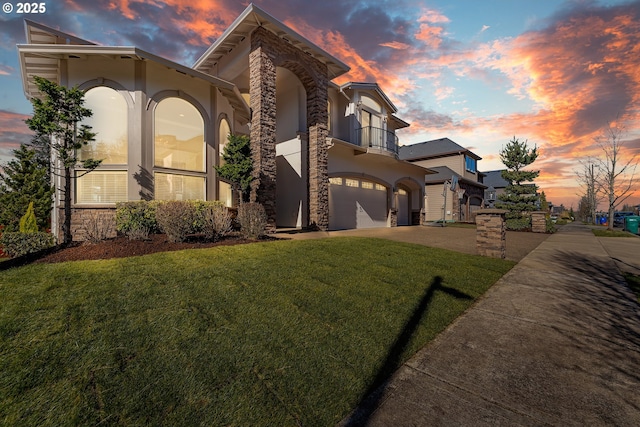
43	59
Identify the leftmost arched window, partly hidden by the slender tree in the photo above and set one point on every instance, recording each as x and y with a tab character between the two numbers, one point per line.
107	183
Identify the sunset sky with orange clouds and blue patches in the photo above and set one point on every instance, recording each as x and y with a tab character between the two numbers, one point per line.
478	72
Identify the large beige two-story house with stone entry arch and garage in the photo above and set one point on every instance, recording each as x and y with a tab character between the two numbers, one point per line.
325	156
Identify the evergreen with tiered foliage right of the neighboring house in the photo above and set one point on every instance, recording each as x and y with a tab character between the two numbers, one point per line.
520	195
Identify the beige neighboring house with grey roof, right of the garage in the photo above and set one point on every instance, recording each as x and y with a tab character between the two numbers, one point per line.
455	192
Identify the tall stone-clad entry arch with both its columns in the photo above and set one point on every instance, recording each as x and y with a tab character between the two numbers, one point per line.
268	52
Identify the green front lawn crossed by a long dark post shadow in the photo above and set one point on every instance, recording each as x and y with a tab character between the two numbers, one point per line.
272	333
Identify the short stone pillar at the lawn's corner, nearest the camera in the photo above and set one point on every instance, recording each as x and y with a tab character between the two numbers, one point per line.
491	233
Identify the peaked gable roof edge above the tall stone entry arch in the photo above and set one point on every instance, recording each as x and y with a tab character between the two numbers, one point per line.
252	18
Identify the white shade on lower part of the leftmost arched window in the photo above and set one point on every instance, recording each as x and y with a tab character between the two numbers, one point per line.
98	187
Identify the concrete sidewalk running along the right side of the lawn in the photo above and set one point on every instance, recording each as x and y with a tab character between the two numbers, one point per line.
555	342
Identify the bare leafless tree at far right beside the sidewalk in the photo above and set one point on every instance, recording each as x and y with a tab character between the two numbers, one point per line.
617	174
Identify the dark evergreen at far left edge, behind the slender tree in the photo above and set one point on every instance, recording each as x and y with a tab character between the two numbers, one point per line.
24	180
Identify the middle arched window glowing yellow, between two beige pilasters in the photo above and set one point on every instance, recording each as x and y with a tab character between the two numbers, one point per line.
179	151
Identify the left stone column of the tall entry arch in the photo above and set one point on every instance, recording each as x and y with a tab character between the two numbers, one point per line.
263	126
